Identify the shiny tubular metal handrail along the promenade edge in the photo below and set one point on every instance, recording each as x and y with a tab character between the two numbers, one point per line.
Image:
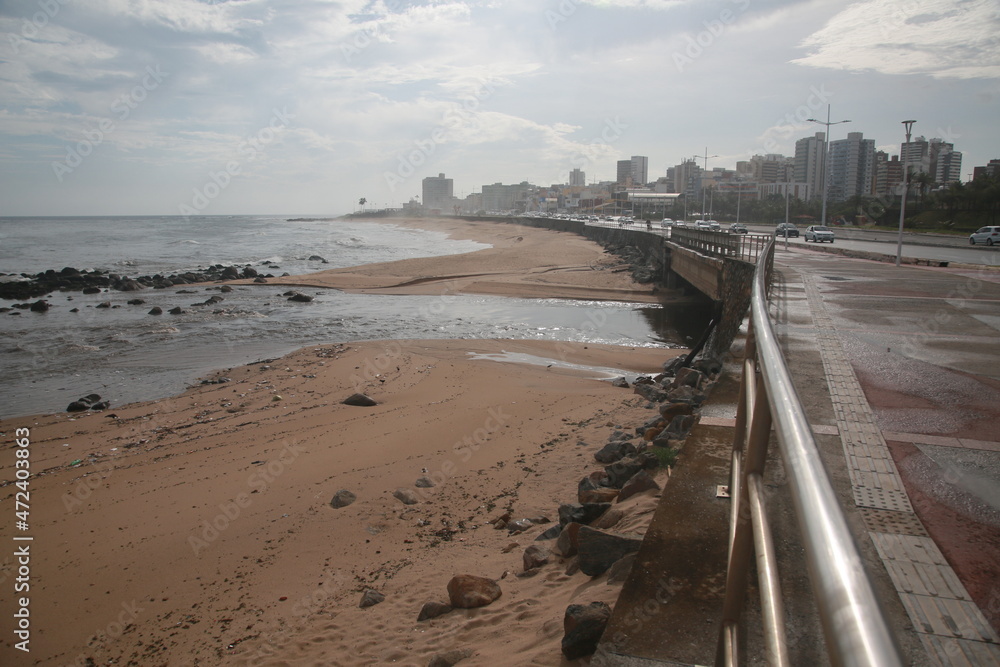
854	626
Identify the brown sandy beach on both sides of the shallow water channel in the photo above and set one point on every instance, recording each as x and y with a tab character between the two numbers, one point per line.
198	529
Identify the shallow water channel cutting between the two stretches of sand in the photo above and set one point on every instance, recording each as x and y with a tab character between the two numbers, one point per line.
125	354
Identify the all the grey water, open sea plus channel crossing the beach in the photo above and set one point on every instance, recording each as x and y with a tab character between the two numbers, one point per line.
126	355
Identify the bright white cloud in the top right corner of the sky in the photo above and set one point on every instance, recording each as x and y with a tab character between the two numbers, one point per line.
939	38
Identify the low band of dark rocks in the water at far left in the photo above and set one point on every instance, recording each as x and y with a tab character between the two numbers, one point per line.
28	286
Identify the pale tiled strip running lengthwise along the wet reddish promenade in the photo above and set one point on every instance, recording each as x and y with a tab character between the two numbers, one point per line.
949	623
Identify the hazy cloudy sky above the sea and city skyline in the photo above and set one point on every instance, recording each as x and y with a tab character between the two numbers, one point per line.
165	107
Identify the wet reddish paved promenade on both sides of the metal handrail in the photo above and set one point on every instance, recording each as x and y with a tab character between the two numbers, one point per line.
920	344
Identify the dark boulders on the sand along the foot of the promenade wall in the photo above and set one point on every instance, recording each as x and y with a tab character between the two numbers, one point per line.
588	537
